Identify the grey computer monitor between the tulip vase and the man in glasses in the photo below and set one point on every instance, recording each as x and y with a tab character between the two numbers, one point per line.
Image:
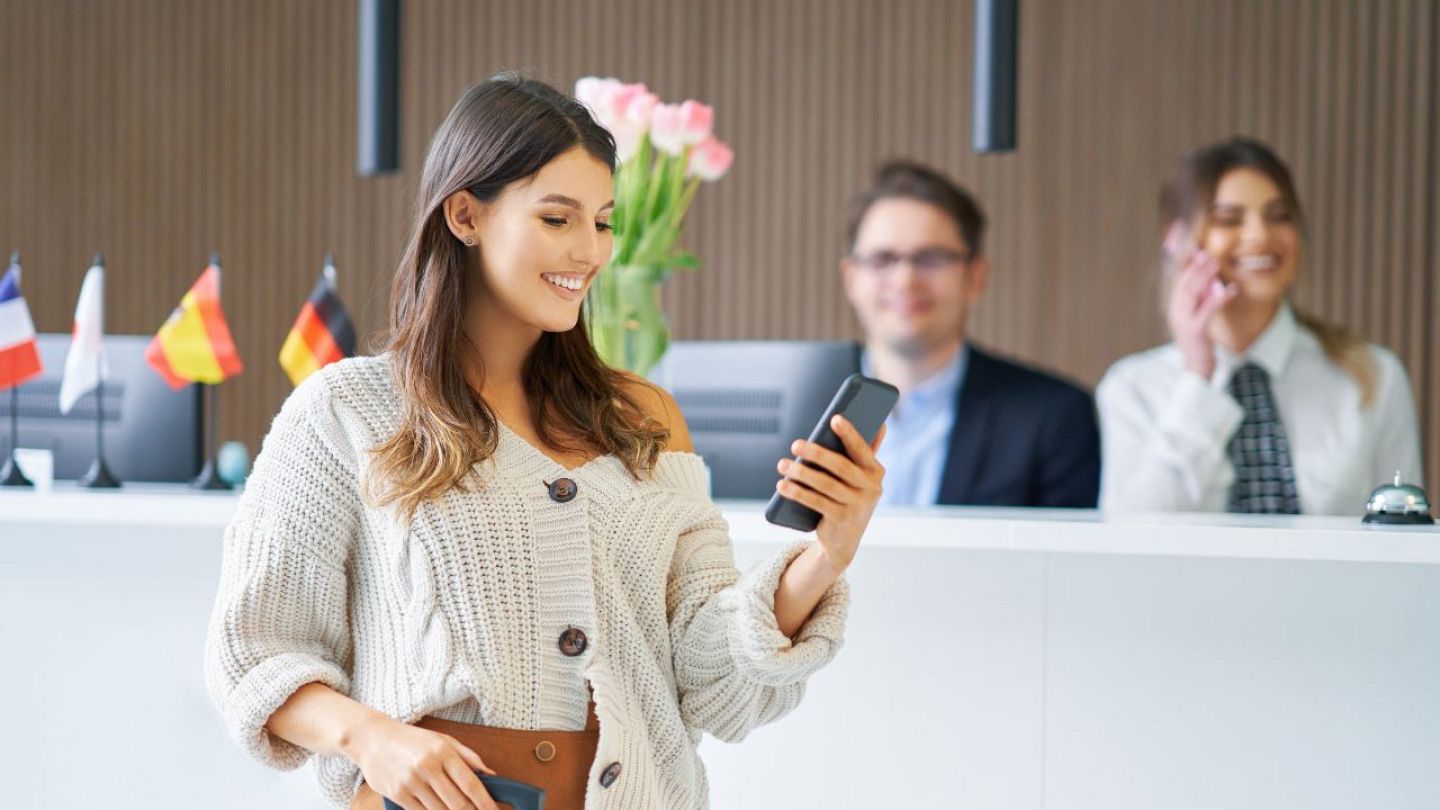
745	403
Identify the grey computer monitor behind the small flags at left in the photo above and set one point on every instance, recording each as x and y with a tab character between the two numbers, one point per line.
152	432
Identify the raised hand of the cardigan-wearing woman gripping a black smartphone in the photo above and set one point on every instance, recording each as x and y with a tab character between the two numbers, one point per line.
843	491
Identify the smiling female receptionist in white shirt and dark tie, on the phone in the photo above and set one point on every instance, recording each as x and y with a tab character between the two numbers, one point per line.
1254	407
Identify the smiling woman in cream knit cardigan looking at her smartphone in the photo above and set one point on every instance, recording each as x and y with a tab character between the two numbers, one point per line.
486	551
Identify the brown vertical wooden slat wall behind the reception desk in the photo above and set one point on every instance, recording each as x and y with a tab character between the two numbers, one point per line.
159	130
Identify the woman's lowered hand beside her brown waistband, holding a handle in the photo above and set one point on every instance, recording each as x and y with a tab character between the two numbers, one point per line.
420	769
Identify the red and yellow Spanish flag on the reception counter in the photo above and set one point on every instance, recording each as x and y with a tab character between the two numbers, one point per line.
195	344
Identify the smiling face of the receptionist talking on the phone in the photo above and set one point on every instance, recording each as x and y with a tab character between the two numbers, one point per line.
1254	234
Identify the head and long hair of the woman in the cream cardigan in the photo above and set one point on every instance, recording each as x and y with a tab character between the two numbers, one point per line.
498	224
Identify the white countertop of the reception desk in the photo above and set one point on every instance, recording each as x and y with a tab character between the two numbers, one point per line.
1059	531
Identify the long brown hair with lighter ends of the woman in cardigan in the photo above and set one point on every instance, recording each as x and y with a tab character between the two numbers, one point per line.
500	132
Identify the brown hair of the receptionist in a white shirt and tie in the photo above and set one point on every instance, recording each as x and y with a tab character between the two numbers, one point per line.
1192	191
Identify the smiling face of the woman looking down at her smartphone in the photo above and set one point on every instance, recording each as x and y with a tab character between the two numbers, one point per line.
544	240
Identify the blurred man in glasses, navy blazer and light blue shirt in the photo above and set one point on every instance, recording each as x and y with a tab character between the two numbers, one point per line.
970	429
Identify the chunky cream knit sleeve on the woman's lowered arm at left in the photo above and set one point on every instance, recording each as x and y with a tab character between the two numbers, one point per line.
280	618
